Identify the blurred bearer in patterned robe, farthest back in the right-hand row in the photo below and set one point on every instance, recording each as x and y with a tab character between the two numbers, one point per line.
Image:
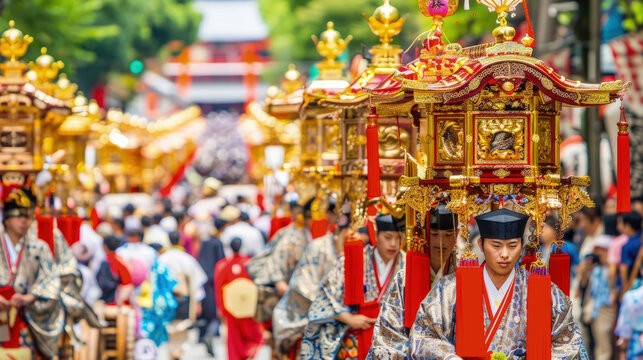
272	268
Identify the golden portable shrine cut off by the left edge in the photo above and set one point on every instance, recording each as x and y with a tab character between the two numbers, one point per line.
45	121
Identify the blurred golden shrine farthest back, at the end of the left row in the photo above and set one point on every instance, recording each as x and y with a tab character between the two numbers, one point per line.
133	152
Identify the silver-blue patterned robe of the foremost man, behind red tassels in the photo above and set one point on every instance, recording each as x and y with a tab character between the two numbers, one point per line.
433	333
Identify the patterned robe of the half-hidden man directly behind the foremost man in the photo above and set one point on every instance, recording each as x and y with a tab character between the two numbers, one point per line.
390	337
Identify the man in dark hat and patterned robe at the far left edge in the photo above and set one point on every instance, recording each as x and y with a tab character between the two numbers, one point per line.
31	313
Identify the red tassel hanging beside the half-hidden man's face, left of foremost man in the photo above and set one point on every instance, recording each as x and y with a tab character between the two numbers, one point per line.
415	287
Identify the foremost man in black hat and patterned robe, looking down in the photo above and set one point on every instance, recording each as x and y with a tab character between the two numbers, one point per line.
504	297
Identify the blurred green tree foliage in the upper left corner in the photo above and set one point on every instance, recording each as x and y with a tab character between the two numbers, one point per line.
98	37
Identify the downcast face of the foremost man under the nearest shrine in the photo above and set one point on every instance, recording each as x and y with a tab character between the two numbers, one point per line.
501	255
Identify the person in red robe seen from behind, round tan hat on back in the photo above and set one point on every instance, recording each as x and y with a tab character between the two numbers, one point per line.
233	289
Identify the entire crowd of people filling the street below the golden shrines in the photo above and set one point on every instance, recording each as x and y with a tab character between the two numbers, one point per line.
181	266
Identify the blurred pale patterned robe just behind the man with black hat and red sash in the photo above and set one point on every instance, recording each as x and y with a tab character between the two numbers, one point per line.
290	316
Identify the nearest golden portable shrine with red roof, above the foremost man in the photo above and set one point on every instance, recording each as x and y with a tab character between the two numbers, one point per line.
488	137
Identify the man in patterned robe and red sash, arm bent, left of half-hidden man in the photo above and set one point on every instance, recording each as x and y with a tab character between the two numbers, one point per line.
333	327
